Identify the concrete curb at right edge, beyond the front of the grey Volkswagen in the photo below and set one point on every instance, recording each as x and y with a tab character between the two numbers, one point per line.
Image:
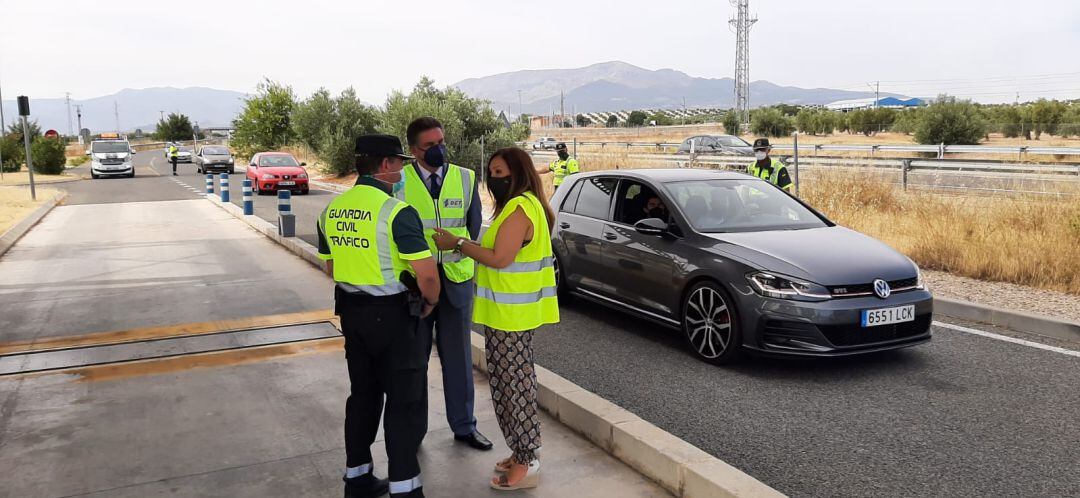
1008	319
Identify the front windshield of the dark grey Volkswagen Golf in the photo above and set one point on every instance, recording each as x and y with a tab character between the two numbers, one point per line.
739	206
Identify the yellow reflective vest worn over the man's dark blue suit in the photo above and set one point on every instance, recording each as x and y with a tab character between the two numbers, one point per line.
450	214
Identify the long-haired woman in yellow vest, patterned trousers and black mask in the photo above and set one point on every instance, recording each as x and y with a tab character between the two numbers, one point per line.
516	295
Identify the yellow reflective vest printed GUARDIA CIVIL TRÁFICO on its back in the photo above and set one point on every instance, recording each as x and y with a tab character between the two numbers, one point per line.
359	228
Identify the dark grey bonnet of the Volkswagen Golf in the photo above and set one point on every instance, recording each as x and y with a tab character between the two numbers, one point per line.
829	257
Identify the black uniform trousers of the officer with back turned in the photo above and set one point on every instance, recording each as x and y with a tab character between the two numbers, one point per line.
387	358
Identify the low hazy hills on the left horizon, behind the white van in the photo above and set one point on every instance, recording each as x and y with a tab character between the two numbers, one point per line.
139	110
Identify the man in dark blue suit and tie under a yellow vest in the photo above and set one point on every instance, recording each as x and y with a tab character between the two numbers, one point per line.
448	197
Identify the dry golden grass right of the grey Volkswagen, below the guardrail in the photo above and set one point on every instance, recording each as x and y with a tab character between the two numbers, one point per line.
1027	241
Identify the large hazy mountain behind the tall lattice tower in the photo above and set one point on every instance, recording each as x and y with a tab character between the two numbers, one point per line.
617	86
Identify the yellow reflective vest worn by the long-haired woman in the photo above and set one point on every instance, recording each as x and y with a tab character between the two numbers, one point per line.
522	297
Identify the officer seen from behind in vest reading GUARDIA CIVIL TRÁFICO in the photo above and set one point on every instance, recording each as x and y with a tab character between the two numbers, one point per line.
387	282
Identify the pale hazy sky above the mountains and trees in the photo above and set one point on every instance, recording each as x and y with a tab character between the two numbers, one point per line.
987	50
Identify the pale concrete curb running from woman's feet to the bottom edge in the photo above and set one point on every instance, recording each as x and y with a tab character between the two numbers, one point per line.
680	467
